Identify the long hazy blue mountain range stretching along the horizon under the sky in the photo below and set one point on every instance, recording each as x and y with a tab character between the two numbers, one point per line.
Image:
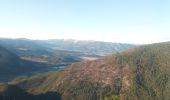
45	46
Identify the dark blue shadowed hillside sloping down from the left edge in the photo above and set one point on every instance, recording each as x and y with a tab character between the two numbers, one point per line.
12	66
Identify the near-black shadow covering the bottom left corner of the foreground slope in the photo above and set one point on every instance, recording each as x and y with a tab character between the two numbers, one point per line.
16	93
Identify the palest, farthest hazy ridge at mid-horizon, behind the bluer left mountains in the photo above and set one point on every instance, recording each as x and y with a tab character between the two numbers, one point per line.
91	47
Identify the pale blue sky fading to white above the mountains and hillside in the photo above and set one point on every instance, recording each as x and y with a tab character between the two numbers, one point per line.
124	21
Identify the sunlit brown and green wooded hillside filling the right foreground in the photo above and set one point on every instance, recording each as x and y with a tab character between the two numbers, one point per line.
141	73
